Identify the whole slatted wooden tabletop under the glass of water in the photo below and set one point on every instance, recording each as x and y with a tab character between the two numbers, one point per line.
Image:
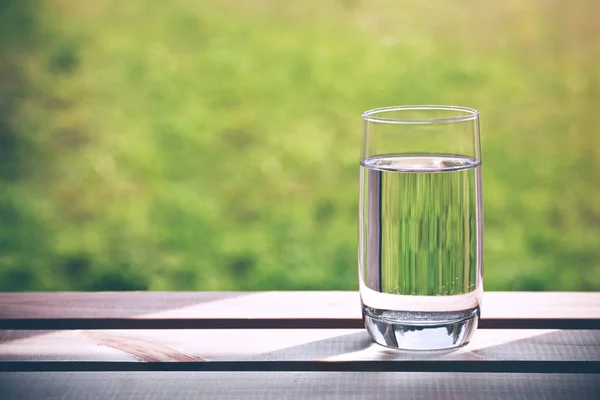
296	345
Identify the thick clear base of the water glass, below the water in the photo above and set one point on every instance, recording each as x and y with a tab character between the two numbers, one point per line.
421	330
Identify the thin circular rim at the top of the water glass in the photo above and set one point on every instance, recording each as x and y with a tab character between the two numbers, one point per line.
468	114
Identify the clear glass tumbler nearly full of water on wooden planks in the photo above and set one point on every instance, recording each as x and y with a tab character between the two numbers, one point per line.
421	226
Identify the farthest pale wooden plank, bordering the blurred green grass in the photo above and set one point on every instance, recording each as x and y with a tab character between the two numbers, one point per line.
277	305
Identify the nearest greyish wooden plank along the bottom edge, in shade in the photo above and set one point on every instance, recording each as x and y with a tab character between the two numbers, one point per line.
294	385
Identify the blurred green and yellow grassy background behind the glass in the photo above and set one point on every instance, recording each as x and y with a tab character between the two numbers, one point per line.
213	145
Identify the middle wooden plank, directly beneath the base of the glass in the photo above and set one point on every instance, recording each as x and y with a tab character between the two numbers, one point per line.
332	346
